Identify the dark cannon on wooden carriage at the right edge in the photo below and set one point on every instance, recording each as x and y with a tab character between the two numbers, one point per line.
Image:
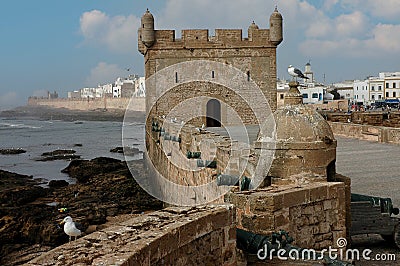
374	215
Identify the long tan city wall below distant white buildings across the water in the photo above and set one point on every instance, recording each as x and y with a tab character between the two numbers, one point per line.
91	104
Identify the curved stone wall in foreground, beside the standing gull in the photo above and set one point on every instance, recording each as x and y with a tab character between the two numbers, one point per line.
172	236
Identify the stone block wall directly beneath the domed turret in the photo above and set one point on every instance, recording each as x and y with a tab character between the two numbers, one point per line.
314	214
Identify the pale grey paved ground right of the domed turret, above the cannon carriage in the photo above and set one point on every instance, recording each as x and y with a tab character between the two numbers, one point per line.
374	168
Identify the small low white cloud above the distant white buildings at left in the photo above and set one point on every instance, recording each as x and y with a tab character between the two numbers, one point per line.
104	73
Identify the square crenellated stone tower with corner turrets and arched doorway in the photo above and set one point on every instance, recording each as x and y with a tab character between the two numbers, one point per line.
254	55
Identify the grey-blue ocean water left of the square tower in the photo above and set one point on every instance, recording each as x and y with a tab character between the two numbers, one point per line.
37	137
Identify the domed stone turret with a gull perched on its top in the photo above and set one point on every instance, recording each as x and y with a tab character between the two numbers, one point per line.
305	147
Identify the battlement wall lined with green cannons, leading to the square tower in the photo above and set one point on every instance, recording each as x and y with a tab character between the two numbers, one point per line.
168	144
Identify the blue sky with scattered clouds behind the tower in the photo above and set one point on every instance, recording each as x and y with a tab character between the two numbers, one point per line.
66	45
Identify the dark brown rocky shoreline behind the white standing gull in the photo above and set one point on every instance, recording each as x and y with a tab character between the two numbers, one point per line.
30	214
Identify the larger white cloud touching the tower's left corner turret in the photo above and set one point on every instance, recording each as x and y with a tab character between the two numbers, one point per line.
115	33
